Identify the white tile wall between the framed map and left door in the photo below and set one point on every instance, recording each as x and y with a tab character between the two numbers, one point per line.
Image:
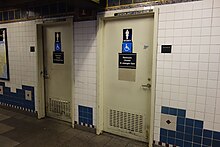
22	62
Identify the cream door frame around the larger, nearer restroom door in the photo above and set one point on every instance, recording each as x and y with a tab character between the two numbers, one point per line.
100	67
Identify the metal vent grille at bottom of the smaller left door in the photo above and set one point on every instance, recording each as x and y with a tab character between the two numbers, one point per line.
59	107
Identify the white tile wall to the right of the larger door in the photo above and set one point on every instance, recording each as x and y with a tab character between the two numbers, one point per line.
194	82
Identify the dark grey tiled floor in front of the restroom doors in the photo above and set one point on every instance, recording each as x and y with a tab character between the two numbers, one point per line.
18	128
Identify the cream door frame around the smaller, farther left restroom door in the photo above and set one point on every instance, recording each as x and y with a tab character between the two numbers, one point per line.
40	62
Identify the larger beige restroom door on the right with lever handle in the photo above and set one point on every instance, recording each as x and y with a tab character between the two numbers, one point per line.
127	91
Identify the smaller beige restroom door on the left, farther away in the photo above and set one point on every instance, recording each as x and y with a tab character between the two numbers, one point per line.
58	76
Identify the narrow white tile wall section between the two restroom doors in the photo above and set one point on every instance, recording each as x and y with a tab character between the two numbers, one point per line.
85	65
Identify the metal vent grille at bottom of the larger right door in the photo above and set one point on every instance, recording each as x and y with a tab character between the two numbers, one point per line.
126	121
